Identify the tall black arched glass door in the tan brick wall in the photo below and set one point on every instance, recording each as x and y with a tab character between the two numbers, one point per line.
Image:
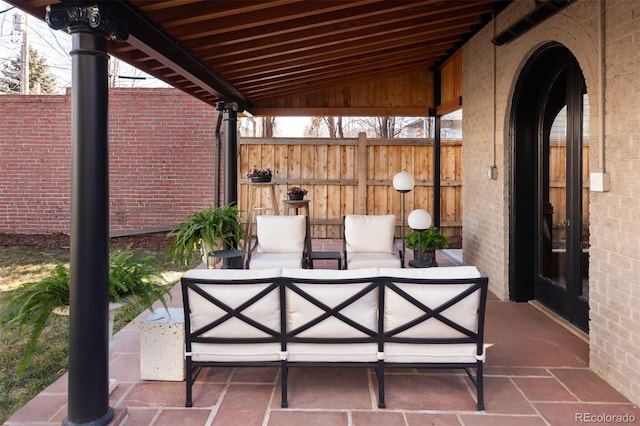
549	220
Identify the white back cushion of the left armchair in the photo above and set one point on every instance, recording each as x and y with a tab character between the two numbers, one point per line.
281	234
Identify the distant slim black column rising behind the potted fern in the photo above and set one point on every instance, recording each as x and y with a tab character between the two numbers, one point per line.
230	116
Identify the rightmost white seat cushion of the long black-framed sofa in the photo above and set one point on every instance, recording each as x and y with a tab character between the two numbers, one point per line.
430	353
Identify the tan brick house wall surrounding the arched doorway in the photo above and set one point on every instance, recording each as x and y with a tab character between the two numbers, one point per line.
614	218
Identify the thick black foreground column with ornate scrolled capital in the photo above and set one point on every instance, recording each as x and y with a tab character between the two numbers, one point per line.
88	394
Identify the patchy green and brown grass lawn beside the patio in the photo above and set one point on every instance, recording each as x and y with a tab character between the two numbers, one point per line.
19	265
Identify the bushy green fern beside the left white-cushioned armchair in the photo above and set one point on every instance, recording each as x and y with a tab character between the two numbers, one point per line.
206	230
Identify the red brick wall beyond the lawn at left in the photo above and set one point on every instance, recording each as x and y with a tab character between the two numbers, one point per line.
161	160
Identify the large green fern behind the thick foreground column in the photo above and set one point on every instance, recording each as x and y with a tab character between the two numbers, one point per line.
30	306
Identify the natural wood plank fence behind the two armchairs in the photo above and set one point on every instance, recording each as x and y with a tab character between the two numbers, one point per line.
353	176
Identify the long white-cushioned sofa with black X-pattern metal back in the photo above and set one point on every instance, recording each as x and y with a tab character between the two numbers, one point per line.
375	318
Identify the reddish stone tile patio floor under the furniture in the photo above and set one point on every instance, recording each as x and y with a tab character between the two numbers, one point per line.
536	374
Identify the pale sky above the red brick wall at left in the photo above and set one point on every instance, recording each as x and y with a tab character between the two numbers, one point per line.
54	46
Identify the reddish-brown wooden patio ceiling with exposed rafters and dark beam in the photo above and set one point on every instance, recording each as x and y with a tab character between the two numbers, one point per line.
259	53
